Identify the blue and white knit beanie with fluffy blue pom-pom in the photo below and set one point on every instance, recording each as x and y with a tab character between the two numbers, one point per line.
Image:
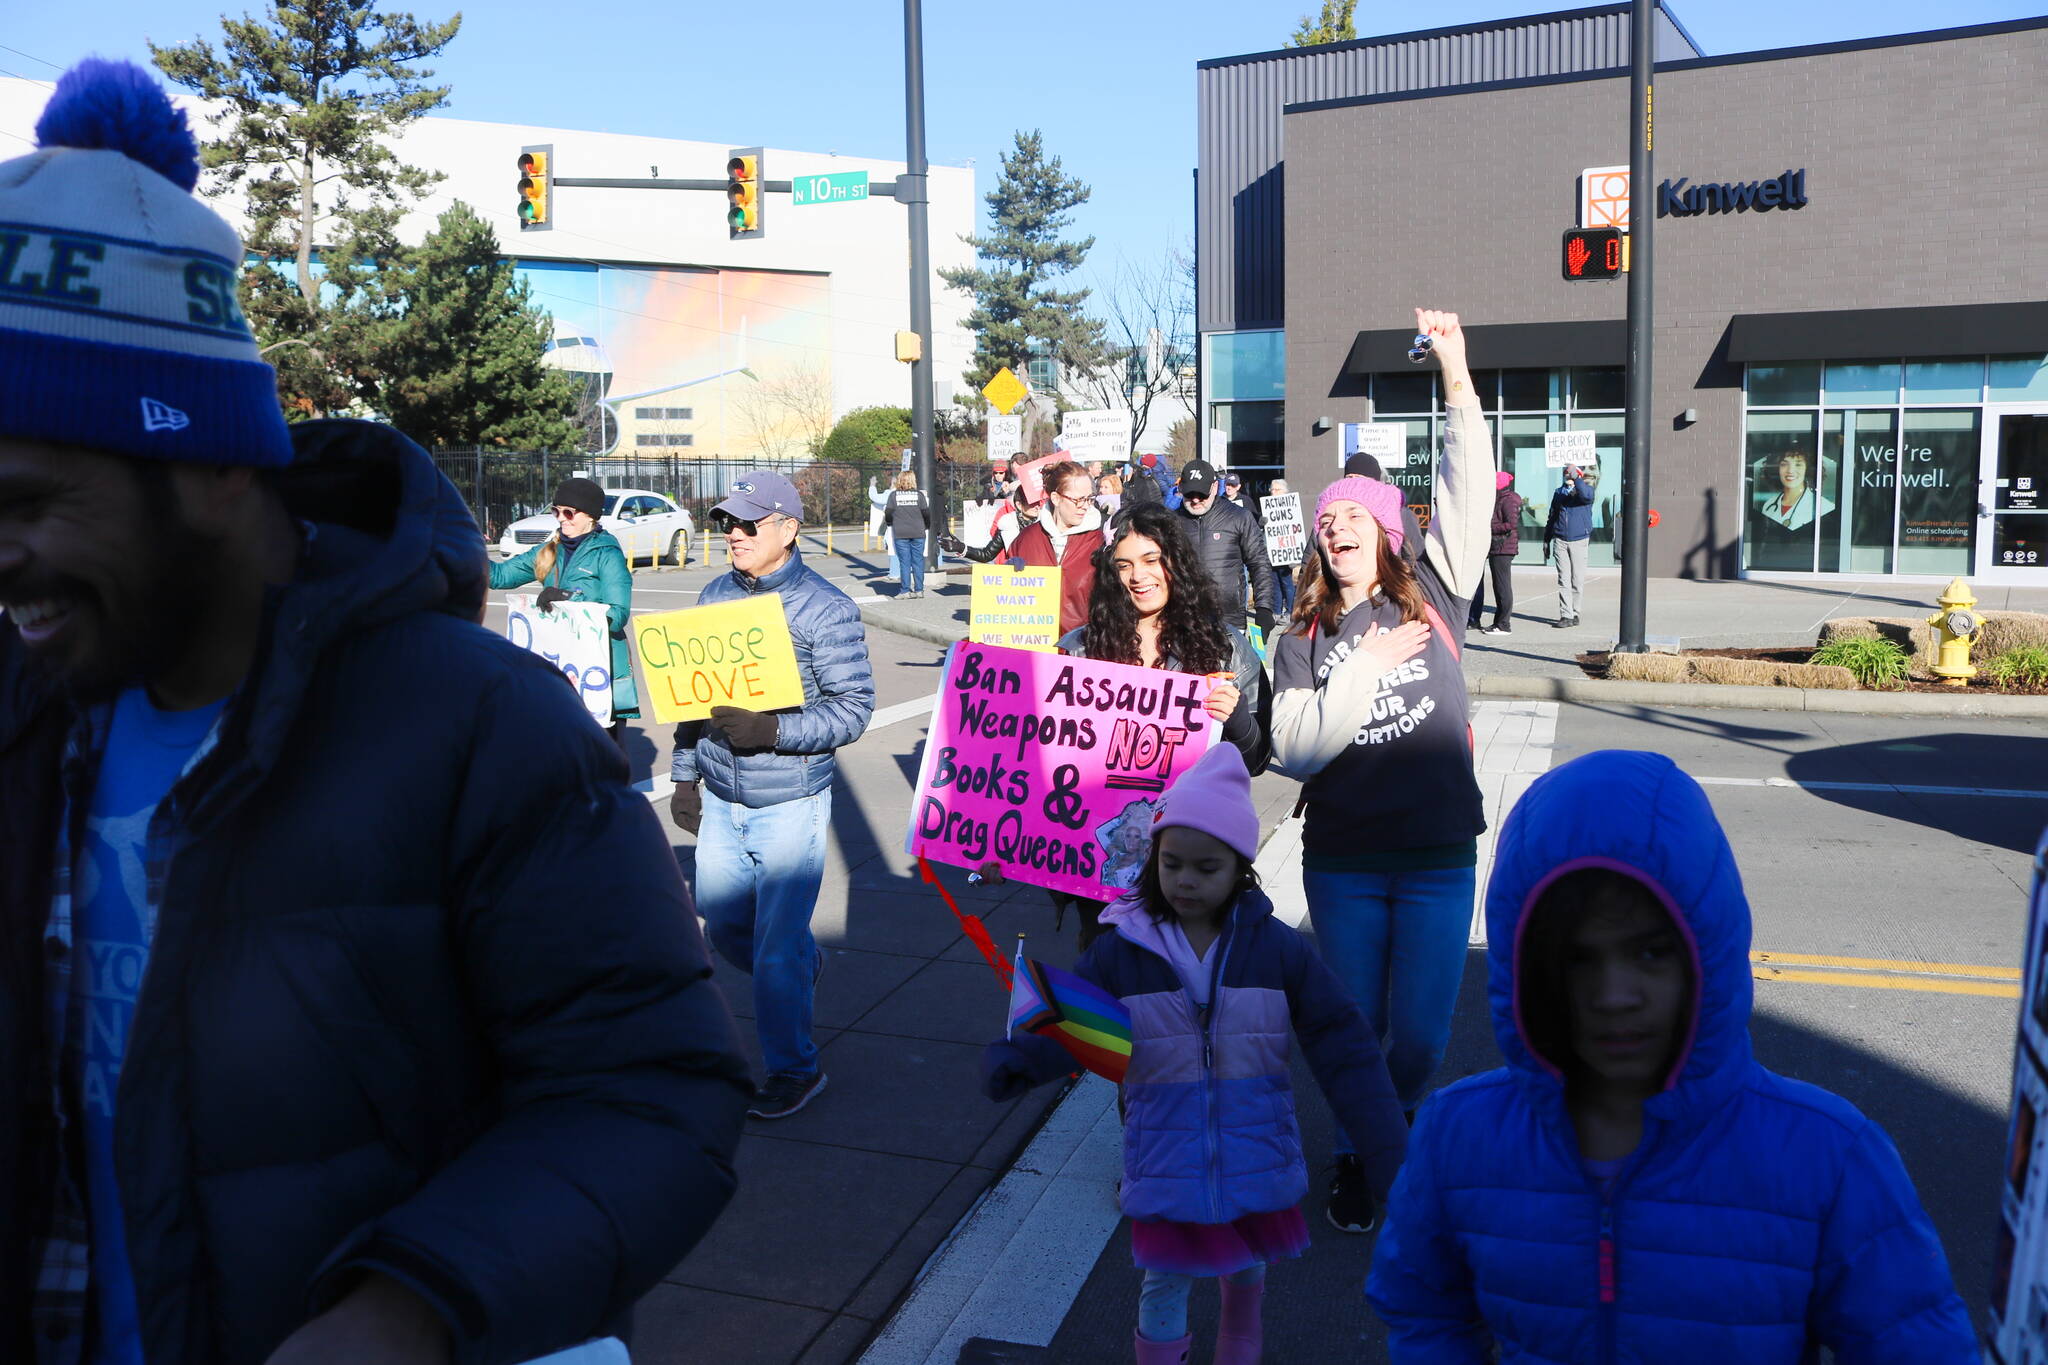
120	324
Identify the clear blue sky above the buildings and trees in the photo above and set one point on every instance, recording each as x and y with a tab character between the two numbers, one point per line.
1111	83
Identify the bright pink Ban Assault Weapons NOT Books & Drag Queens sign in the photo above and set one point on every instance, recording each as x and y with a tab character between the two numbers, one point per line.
1054	766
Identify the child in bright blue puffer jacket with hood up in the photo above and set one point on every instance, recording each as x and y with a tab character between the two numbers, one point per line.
1633	1186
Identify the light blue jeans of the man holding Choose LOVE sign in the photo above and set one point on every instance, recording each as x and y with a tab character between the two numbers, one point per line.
757	885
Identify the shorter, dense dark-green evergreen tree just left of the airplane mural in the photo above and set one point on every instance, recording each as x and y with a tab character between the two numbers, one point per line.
458	347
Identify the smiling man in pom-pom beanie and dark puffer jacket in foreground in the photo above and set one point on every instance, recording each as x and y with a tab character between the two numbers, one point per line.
351	1004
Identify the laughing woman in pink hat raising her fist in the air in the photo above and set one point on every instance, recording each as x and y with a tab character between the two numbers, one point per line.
1371	713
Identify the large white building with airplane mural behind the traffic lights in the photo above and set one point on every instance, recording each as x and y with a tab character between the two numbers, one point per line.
703	345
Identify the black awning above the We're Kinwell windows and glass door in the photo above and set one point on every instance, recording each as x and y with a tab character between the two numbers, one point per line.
1951	331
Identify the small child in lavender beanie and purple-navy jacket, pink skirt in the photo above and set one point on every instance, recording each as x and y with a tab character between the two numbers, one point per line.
1213	1165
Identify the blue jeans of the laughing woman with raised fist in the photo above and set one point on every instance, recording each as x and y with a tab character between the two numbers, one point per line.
1398	944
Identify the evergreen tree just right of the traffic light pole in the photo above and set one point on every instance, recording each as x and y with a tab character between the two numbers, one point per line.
1021	257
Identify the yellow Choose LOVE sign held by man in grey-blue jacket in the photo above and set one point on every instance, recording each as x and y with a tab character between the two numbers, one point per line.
728	654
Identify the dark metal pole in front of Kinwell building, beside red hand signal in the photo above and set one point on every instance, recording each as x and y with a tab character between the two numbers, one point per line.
1641	333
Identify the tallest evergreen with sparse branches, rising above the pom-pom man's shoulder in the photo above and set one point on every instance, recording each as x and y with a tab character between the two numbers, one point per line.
314	95
